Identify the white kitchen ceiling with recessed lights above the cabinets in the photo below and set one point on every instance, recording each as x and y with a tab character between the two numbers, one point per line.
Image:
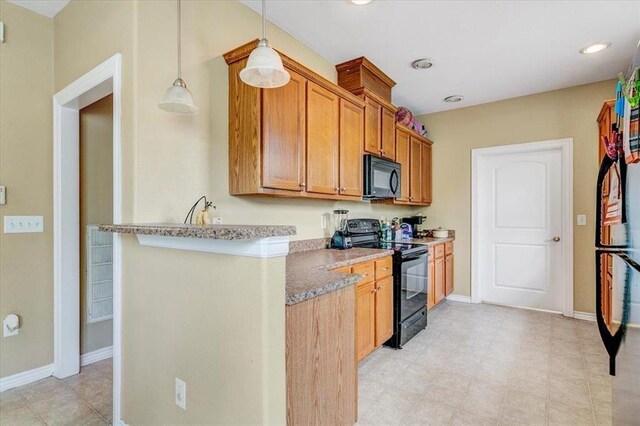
483	50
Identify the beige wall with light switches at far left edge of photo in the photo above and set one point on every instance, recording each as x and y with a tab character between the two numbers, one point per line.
26	266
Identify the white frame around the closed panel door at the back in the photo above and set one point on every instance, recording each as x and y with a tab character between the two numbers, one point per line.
565	146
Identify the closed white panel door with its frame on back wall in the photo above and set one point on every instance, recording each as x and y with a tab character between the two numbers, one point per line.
522	228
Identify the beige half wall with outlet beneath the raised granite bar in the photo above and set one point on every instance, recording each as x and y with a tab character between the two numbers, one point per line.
214	321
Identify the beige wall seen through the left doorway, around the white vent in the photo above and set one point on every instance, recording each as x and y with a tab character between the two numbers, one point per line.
96	204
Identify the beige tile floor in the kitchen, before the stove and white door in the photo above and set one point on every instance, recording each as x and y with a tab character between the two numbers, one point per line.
490	365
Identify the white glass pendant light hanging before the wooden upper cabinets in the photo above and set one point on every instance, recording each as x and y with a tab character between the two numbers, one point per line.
264	67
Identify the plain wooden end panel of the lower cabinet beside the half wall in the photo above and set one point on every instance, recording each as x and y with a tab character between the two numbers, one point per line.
321	372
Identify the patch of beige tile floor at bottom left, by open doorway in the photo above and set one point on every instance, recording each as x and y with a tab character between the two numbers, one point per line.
83	399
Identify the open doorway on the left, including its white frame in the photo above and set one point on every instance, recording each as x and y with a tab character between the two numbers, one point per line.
75	309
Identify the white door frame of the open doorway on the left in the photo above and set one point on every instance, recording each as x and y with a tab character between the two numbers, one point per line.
101	81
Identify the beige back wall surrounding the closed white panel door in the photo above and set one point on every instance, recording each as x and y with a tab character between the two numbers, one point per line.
567	113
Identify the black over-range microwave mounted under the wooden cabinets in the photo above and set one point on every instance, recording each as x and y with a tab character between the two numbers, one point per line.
381	178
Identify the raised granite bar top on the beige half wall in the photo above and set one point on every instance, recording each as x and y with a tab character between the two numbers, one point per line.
217	232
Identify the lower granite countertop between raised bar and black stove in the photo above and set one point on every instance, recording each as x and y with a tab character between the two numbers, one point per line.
309	272
